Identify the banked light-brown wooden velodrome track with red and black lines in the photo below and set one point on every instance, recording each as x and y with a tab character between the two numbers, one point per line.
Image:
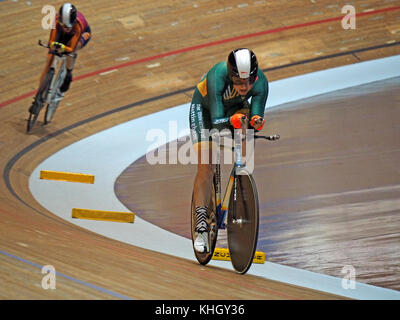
127	40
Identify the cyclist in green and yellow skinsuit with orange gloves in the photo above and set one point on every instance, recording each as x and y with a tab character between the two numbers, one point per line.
220	101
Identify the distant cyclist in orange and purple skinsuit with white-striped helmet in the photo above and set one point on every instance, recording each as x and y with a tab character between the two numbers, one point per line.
72	33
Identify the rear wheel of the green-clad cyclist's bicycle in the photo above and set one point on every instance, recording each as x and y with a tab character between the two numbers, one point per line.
204	258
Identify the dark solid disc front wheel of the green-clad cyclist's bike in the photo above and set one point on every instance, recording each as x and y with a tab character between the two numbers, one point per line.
243	221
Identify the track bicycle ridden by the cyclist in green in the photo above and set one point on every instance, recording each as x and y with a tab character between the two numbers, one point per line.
238	211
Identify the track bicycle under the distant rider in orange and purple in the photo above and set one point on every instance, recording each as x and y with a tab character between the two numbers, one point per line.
49	93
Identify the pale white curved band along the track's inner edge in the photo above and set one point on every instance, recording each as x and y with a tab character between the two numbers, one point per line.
107	153
